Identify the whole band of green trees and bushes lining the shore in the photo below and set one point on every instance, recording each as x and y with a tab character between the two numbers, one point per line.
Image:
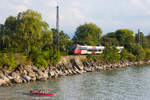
27	39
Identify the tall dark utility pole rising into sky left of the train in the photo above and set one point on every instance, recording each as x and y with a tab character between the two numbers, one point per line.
57	26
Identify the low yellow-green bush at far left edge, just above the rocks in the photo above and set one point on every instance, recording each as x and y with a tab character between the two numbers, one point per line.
8	59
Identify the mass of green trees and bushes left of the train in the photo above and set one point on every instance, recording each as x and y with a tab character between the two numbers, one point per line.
27	37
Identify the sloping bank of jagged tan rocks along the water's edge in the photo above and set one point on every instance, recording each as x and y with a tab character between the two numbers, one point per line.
69	65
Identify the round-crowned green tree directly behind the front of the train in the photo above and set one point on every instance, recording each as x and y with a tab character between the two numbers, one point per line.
87	34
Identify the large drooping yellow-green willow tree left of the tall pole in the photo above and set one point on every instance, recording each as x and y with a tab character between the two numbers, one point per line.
26	31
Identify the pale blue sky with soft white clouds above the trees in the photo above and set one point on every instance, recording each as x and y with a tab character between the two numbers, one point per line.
109	15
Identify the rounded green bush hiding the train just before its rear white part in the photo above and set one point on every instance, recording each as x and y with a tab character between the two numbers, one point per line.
111	54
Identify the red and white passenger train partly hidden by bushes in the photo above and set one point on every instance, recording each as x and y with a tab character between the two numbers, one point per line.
79	49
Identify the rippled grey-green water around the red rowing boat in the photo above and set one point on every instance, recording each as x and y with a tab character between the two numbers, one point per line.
132	83
